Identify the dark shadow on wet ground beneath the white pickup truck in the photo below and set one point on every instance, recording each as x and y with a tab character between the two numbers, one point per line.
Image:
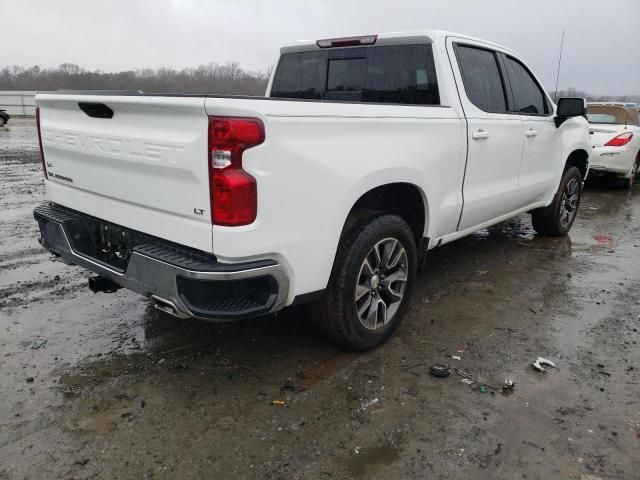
291	330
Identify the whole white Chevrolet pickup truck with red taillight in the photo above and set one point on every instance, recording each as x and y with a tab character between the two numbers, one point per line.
365	153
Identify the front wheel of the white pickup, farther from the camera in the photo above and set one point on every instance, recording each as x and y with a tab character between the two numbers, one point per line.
553	220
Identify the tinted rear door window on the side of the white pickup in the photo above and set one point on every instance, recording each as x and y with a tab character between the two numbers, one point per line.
482	79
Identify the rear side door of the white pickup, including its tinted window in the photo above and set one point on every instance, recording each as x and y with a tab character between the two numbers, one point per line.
495	140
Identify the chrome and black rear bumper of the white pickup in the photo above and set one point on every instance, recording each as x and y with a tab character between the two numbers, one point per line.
193	283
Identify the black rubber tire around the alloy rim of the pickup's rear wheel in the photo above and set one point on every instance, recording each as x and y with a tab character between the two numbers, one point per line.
335	313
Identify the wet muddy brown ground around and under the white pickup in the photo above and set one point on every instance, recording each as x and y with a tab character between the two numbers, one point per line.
103	386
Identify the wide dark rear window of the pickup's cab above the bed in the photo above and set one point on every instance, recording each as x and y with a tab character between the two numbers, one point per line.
399	74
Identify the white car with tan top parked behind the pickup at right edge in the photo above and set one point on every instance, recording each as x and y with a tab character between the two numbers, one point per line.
615	136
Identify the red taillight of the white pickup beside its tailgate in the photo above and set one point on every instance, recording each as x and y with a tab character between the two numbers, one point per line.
233	192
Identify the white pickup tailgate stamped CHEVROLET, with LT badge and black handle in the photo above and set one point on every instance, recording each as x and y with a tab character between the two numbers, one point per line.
145	167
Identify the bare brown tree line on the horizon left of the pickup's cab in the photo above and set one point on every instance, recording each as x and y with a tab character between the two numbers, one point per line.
213	78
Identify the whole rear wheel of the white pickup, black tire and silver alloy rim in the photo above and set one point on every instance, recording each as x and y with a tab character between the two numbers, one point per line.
371	282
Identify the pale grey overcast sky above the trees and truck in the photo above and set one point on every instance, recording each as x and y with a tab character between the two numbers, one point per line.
601	54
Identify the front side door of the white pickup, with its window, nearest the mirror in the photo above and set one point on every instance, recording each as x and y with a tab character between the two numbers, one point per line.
541	162
